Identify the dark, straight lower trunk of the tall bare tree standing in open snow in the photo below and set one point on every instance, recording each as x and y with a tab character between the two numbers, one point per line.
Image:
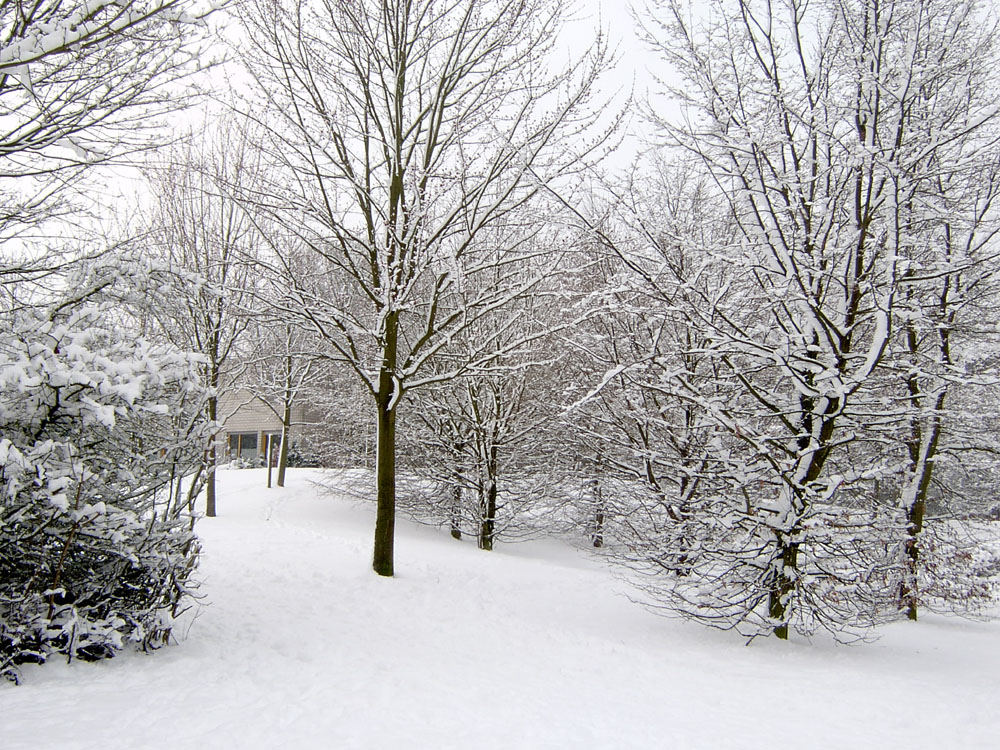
385	458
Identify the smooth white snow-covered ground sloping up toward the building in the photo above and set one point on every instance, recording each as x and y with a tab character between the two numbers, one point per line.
299	645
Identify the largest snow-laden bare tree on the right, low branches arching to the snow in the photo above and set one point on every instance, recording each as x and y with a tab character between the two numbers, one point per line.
810	120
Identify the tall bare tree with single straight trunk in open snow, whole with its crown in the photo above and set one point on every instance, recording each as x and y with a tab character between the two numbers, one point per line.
405	129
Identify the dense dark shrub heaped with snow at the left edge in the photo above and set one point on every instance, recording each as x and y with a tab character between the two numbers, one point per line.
101	441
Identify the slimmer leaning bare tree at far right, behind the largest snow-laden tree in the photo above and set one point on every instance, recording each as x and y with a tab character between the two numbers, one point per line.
945	311
